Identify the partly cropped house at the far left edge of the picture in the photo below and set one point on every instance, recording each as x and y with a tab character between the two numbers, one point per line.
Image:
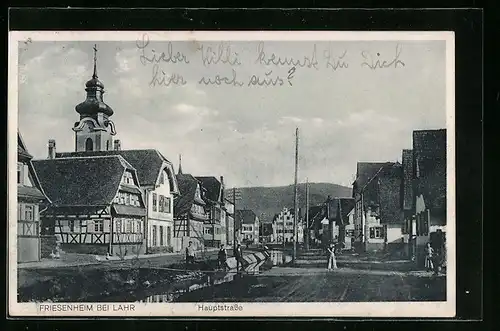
30	201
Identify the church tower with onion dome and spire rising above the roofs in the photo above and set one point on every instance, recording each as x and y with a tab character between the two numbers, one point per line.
94	131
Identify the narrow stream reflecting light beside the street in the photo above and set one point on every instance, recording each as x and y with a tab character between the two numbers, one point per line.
175	292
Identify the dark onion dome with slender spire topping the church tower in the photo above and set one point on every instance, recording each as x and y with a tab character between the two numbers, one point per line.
94	102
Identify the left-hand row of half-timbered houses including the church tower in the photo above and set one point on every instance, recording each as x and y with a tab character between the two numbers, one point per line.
102	199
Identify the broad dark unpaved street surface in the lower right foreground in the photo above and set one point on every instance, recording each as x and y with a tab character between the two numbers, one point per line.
313	285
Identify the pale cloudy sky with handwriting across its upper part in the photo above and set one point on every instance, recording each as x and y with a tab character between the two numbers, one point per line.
244	133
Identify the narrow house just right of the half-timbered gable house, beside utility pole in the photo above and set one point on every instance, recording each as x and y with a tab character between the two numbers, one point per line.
215	232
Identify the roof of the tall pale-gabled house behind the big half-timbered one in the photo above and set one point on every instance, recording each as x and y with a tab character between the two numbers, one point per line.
147	162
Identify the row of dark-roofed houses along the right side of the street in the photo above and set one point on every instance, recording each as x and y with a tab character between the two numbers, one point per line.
395	207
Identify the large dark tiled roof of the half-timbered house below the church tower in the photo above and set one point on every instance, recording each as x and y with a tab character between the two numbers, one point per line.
82	181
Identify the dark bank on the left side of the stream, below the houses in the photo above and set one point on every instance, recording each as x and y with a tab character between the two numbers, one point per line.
86	282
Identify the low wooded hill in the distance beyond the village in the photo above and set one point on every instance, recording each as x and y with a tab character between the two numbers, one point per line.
268	201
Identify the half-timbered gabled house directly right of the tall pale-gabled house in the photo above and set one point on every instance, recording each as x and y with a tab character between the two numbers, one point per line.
190	213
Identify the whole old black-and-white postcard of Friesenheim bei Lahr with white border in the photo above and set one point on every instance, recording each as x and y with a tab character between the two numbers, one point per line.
235	174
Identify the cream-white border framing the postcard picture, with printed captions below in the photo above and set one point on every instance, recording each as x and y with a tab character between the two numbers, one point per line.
319	309
